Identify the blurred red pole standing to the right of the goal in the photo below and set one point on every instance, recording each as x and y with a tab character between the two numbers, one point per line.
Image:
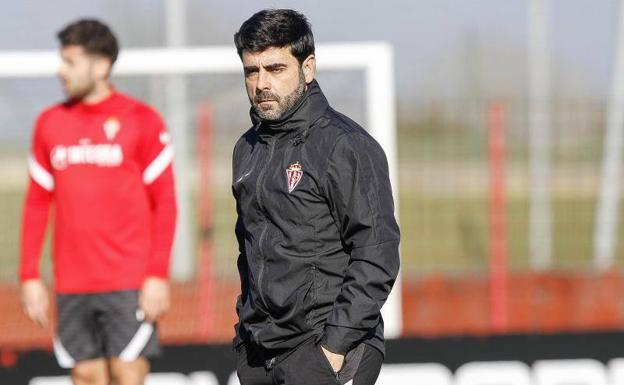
498	237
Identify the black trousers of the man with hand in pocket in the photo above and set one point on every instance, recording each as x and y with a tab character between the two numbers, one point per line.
306	365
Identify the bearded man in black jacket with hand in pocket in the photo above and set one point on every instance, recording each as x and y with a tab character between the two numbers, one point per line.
317	236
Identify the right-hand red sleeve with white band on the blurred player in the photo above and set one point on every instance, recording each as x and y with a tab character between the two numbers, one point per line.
156	156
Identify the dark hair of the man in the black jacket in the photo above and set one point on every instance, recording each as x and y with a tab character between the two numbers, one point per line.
276	28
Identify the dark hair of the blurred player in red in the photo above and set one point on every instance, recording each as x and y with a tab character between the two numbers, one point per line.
93	36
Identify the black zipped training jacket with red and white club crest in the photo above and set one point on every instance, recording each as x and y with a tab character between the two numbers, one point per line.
317	236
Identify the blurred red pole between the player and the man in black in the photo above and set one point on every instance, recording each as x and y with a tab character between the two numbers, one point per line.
206	315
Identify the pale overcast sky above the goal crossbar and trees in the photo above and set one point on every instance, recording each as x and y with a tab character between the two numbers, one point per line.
426	34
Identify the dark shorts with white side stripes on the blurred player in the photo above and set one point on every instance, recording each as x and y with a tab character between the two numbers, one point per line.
102	325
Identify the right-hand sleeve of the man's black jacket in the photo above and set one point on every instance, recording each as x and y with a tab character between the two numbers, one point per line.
360	198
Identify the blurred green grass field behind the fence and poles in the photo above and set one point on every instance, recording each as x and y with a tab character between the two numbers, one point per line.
439	234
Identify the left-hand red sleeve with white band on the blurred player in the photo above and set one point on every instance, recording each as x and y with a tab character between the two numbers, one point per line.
36	205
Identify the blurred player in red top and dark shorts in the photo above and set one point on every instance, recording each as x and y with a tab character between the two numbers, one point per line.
102	160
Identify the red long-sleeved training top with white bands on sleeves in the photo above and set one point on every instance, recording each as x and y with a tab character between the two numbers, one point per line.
107	168
